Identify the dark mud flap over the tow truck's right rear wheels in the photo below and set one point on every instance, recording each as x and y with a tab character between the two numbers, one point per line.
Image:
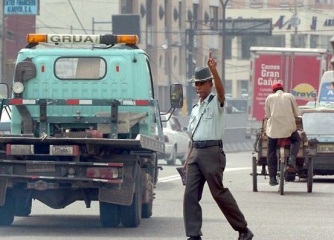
121	194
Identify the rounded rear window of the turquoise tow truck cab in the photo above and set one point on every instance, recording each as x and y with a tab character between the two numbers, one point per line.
91	68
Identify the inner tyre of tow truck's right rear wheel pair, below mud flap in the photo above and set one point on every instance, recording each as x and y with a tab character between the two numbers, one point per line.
109	214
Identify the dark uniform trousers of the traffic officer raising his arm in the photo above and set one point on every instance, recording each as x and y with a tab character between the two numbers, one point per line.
207	165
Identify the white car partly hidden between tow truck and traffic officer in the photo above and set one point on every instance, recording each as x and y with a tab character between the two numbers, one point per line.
177	141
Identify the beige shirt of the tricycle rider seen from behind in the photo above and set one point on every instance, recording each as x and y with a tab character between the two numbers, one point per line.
280	110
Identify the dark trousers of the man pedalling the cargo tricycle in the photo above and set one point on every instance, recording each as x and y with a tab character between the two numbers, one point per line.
272	154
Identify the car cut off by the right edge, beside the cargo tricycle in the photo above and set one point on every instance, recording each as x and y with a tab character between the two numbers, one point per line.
320	134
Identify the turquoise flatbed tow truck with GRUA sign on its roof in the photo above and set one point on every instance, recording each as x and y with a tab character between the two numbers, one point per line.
85	127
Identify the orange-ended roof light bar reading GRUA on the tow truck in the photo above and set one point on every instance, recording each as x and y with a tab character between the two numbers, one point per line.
107	39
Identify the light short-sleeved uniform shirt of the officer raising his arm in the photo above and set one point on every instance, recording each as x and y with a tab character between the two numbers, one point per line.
211	125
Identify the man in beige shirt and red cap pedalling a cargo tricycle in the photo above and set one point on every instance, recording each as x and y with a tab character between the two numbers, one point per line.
281	110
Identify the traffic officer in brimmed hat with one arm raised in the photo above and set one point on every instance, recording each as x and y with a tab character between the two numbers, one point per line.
206	161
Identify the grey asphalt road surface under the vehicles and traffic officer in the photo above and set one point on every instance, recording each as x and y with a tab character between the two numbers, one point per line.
295	215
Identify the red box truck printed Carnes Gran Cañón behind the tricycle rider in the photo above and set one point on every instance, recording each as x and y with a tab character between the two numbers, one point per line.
298	69
